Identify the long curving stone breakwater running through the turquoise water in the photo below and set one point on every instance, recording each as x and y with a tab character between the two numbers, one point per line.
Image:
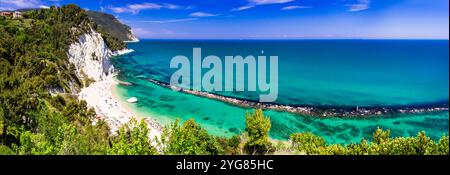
318	111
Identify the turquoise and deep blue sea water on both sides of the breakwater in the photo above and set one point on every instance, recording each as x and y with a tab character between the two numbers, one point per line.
311	72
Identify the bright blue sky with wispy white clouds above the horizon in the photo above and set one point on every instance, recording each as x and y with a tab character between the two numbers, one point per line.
270	19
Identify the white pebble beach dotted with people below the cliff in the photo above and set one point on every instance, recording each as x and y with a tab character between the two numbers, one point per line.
99	95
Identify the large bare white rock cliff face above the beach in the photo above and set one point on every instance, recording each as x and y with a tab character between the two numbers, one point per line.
91	56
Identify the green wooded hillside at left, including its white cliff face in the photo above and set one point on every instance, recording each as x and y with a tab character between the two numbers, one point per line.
46	57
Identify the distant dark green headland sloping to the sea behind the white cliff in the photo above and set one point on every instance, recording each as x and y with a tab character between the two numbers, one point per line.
112	26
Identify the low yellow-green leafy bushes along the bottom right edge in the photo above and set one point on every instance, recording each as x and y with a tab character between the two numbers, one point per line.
382	144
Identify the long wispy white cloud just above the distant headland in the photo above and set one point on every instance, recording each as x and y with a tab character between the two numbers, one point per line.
136	8
